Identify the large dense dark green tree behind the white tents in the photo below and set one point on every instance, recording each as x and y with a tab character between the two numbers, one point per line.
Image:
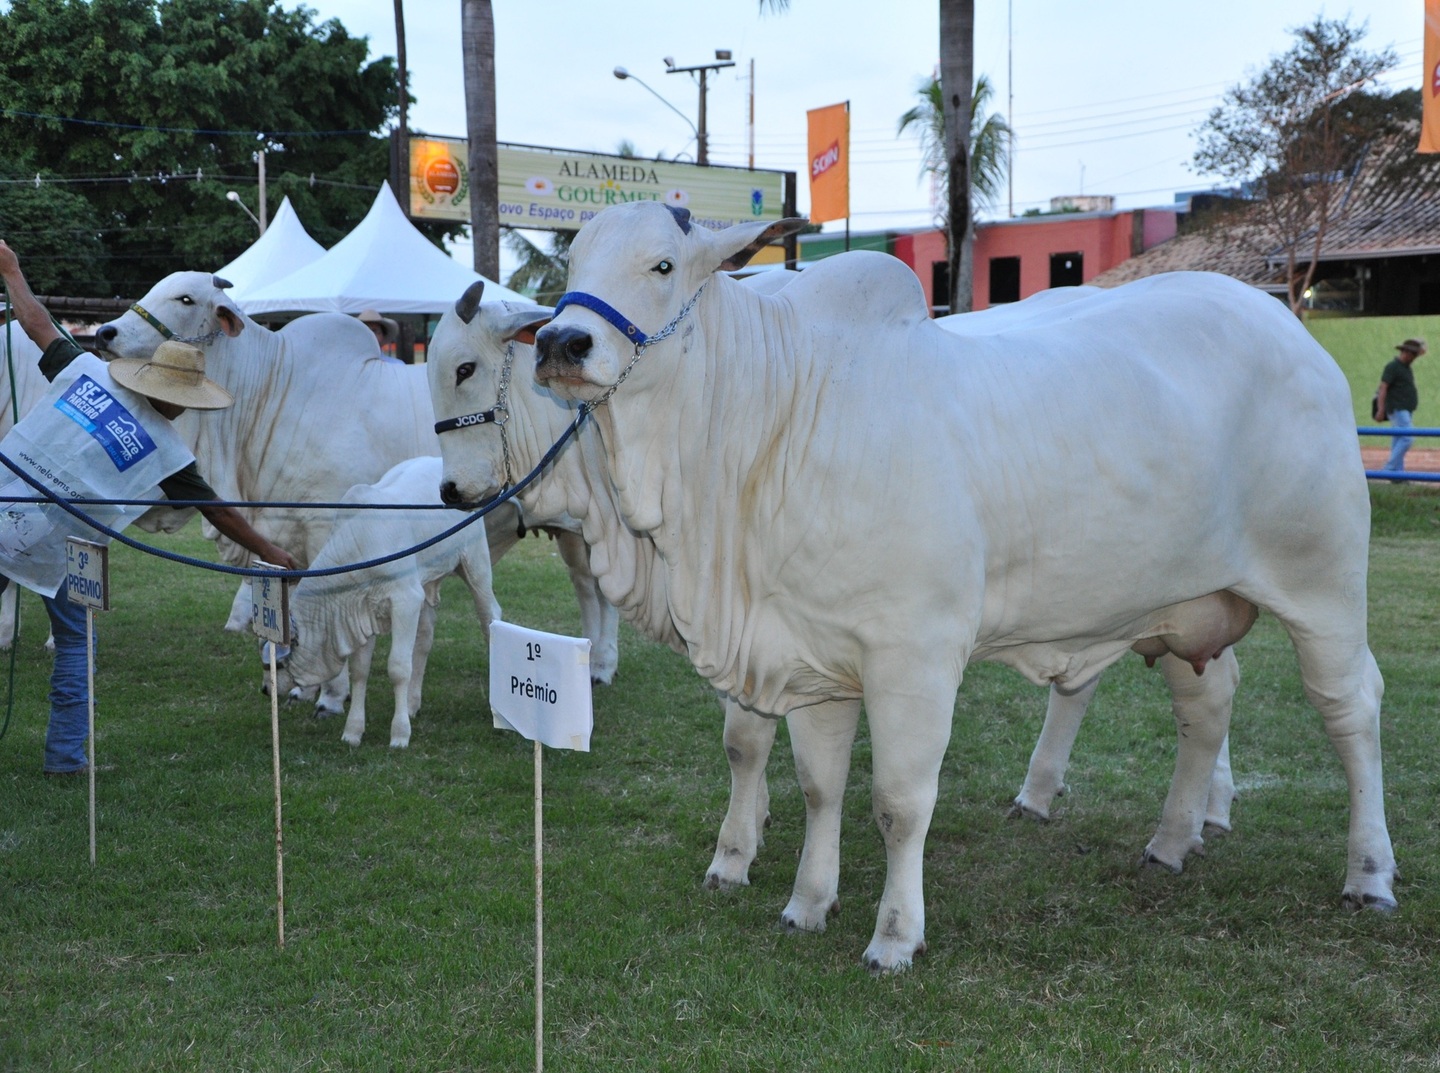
125	123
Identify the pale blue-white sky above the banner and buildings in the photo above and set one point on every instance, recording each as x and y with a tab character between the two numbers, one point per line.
1105	94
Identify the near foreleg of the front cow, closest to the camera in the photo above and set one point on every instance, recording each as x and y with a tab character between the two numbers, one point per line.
909	731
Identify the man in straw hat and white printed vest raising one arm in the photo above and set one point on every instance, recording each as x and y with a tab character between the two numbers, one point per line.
103	431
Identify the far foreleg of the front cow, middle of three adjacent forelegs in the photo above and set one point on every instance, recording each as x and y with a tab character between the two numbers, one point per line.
822	737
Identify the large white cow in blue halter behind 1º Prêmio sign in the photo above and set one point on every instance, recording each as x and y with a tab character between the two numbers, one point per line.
852	503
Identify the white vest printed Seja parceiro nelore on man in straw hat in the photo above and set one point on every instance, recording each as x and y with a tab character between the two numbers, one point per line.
87	439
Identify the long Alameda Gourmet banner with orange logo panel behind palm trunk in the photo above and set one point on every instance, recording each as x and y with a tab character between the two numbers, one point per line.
559	191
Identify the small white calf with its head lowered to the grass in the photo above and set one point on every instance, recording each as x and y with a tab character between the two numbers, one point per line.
339	617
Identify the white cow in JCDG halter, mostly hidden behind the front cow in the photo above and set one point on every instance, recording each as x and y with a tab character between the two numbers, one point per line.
480	354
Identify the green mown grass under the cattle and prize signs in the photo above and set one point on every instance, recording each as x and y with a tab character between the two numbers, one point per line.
410	920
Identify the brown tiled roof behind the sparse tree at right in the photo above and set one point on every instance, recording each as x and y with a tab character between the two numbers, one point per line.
1390	208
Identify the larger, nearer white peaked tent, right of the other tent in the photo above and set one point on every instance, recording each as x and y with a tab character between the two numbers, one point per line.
385	264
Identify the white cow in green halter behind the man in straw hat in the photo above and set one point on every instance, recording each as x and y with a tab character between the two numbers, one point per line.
309	424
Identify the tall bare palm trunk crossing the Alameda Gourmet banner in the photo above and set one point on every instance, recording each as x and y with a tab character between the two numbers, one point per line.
477	34
